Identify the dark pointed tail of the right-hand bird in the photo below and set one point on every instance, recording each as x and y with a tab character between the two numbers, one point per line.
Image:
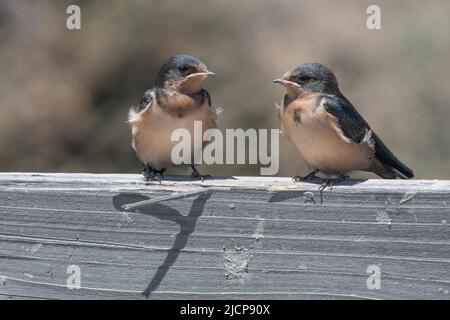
386	165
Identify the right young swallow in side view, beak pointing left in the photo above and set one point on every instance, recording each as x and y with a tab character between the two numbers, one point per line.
331	135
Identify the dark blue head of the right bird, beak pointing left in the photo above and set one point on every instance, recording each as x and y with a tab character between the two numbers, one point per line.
311	77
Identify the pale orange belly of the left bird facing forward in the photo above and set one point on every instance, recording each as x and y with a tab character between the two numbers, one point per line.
153	128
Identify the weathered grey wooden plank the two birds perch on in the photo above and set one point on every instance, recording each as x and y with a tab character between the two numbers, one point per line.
248	237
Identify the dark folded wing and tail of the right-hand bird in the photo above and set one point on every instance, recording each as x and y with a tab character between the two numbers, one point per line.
356	129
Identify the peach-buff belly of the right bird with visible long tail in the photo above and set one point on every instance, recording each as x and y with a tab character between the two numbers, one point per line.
324	148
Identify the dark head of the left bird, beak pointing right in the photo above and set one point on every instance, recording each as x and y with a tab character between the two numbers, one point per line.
182	73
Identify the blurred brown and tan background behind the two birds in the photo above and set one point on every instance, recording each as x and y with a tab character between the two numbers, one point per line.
65	94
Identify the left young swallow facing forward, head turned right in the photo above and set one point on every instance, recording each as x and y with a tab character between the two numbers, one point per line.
176	101
